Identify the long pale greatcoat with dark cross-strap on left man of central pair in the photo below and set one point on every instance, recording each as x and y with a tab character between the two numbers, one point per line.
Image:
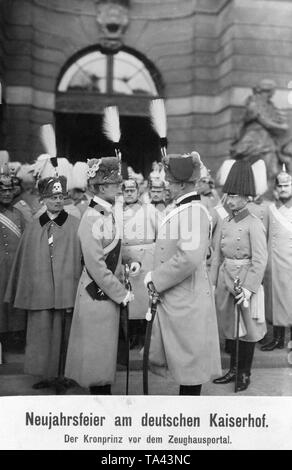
93	342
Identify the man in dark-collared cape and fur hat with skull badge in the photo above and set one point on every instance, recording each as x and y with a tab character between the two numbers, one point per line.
44	281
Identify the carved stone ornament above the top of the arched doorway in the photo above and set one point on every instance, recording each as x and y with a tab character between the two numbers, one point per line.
113	20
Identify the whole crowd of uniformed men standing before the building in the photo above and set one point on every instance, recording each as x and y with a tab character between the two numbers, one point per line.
64	240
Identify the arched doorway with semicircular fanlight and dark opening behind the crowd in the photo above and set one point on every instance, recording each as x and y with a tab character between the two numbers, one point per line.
93	80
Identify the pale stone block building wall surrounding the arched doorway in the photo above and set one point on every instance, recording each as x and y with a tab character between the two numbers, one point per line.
208	52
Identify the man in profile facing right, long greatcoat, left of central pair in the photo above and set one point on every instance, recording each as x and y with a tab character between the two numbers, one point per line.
92	351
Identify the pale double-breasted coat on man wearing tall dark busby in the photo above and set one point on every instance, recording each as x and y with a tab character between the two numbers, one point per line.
241	251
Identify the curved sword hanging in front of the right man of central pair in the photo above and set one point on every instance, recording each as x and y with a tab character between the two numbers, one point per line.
150	315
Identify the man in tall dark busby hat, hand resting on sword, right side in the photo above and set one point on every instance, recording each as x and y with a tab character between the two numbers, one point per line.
240	252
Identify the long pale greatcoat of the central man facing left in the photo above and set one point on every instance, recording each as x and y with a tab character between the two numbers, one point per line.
185	335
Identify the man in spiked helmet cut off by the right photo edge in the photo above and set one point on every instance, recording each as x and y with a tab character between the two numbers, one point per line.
279	272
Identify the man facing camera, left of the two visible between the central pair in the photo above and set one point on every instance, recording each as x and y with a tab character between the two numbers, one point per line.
140	223
